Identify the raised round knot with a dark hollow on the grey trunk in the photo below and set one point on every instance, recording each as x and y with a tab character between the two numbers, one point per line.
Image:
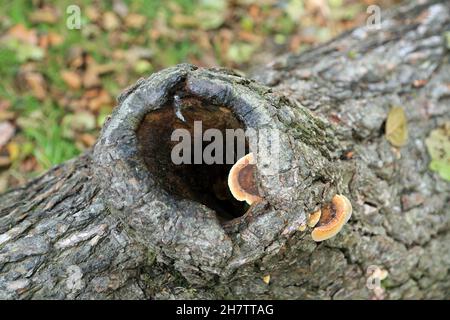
184	211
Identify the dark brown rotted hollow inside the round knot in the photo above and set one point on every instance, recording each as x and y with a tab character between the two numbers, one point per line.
203	183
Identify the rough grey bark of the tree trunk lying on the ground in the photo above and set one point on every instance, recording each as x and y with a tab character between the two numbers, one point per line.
122	222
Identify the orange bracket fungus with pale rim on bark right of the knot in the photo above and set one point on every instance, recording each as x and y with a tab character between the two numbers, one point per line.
333	218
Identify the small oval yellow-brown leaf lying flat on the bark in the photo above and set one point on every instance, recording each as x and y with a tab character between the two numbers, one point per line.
396	127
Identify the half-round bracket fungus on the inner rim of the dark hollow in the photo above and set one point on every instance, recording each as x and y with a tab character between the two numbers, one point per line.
241	180
